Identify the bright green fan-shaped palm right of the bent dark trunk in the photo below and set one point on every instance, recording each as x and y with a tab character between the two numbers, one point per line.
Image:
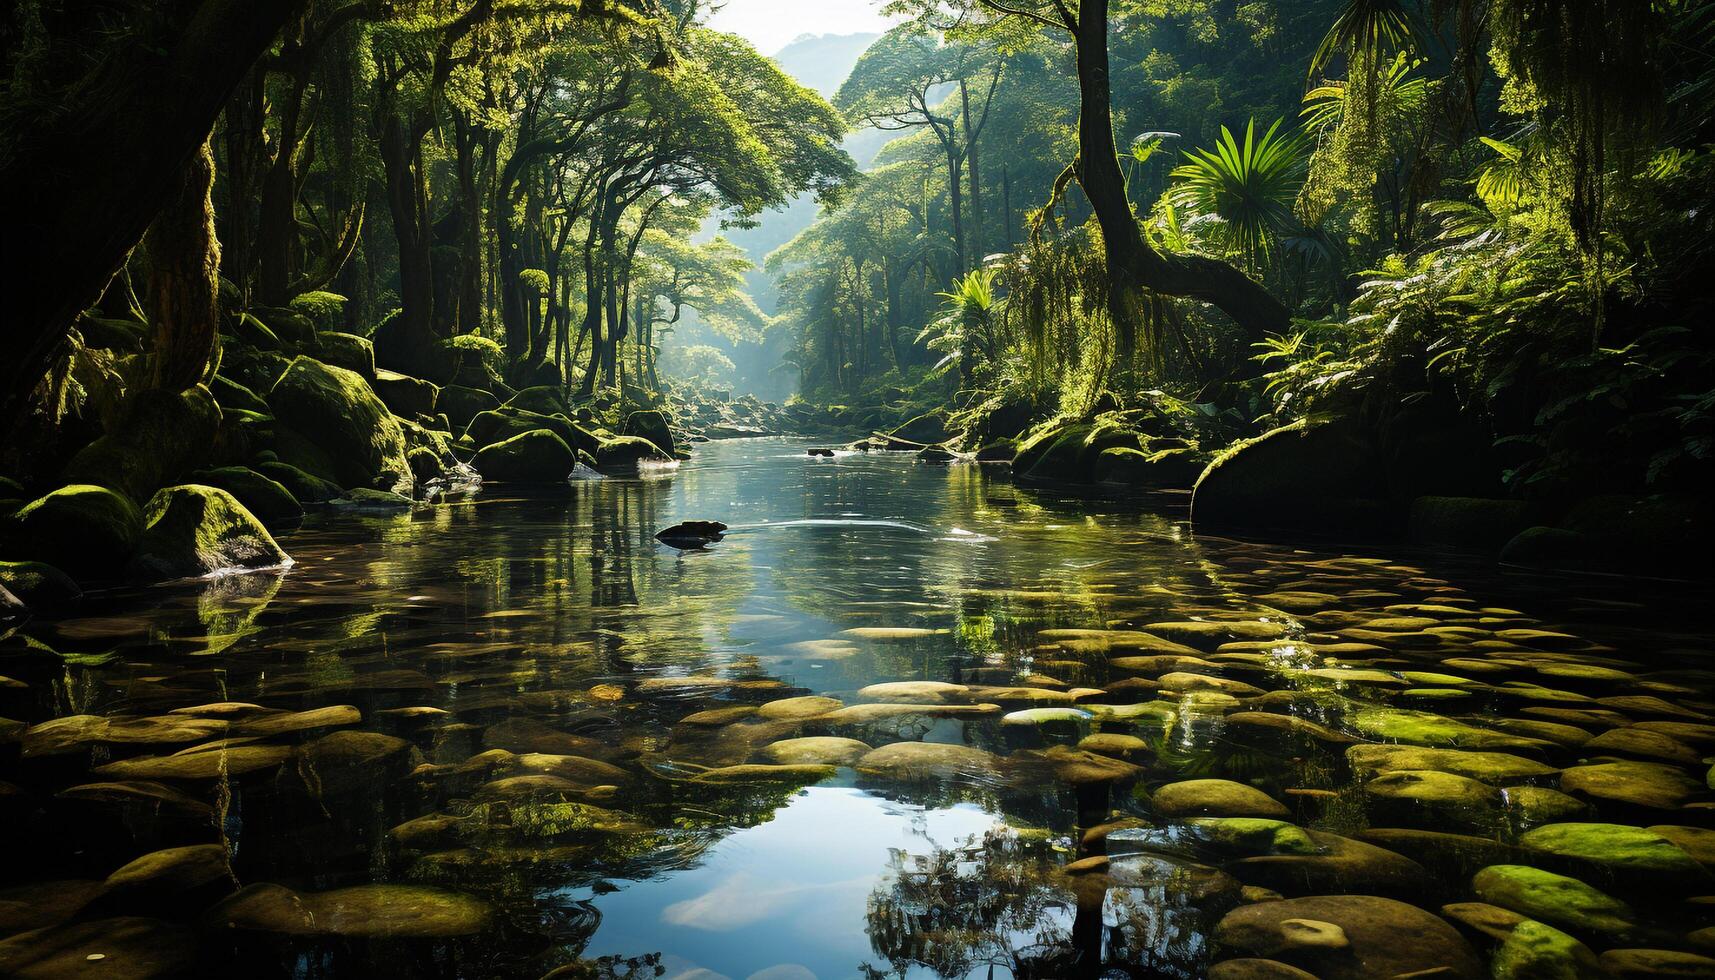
1251	186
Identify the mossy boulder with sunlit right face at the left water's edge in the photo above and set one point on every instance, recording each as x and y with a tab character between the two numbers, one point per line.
198	529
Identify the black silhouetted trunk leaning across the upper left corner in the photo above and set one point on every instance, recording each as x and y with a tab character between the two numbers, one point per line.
81	186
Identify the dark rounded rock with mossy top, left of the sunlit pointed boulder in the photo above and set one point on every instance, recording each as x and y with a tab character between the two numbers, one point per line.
87	531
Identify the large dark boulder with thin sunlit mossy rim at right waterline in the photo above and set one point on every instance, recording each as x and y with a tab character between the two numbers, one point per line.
1304	476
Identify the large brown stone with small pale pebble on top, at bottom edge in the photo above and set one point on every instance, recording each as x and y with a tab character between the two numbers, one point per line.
1385	938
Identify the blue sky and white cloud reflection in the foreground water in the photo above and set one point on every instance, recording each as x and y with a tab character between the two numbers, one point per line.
779	902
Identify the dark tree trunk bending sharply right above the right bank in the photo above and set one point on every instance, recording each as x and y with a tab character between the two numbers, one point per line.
1133	263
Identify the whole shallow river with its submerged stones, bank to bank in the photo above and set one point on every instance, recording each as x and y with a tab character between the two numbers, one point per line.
905	722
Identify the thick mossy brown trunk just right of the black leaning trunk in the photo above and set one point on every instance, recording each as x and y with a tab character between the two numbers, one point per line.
184	279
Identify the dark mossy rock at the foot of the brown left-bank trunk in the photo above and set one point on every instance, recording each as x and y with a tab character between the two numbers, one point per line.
159	439
